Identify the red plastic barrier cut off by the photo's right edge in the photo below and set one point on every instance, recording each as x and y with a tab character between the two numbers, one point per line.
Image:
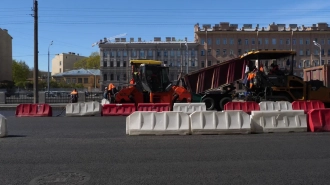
319	120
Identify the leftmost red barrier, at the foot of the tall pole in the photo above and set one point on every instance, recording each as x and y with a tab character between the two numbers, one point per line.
34	110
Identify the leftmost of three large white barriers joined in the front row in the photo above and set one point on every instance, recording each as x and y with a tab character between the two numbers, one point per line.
157	123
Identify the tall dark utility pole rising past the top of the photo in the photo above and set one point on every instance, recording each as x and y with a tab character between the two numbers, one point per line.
35	70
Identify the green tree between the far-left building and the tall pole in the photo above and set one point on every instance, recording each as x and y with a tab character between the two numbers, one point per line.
20	72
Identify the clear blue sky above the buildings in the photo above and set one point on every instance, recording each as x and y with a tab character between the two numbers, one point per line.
74	25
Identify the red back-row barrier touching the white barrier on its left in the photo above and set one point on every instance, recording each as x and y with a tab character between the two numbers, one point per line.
118	109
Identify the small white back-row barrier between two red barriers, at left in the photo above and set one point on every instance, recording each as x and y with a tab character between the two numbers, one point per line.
83	109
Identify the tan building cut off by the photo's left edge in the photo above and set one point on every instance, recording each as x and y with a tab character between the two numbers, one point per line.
6	58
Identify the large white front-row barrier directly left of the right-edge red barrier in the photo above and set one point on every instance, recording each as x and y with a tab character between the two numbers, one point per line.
278	121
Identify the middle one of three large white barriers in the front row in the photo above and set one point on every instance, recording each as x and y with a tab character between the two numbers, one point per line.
225	122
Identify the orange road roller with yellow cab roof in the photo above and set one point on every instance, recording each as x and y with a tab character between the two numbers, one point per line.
150	84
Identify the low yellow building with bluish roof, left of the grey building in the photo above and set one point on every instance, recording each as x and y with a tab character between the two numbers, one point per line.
89	78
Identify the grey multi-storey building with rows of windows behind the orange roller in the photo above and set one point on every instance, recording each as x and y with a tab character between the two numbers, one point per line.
115	57
